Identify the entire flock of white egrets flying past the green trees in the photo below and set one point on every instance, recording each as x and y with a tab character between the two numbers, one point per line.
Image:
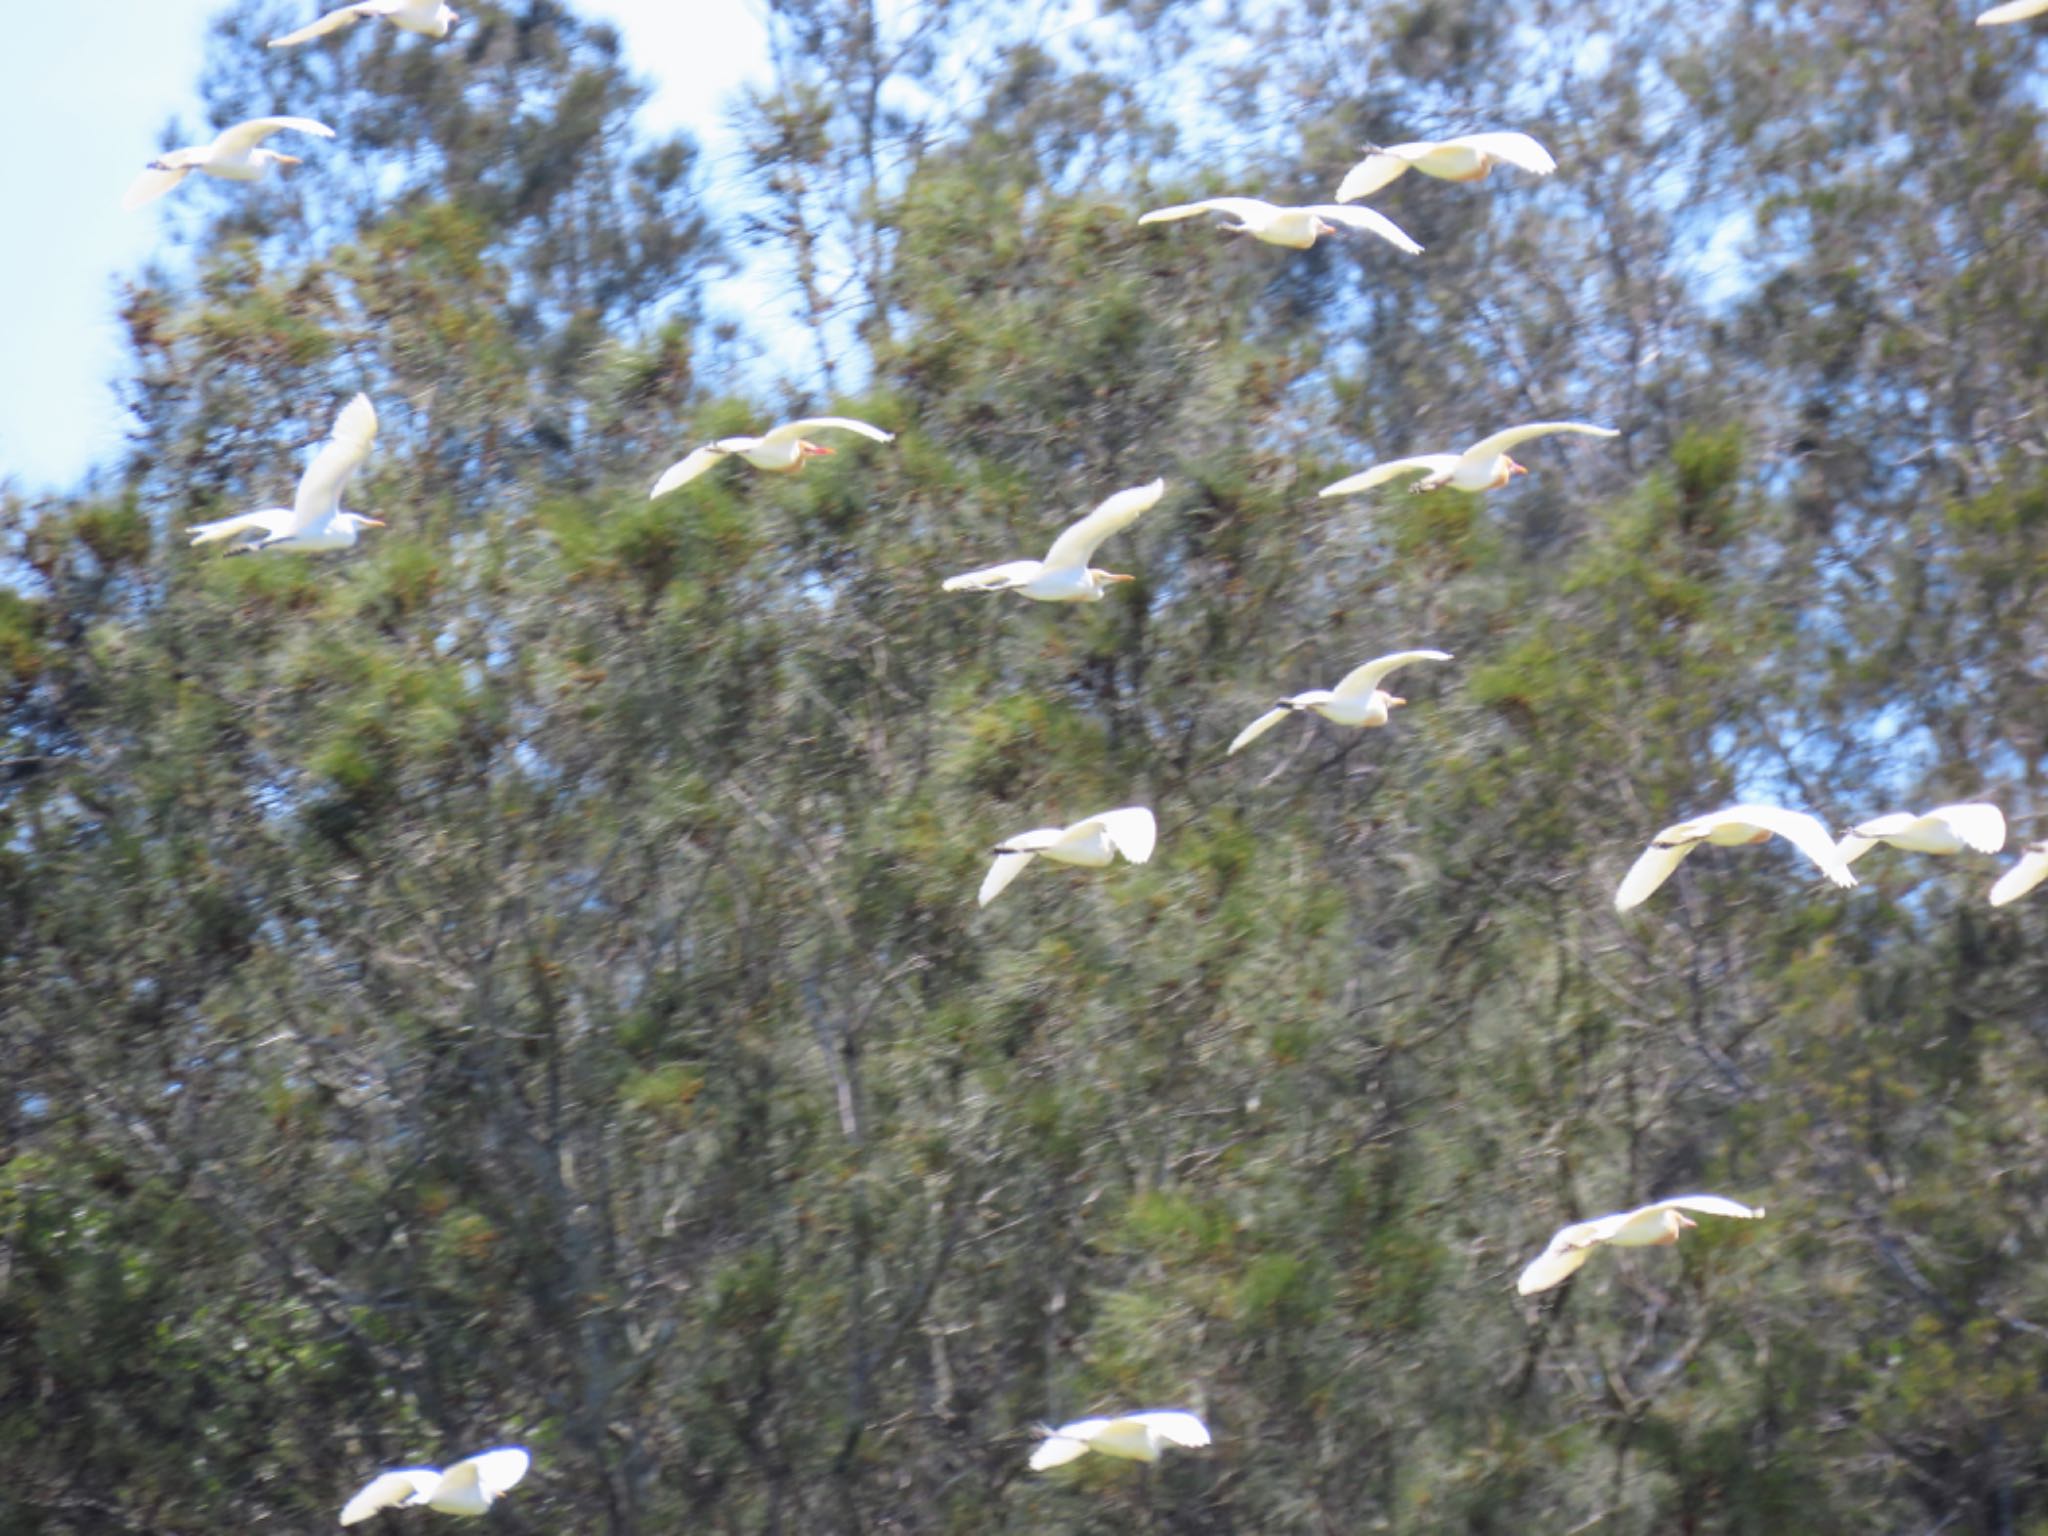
316	523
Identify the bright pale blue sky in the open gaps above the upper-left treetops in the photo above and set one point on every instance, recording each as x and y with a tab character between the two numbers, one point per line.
105	93
